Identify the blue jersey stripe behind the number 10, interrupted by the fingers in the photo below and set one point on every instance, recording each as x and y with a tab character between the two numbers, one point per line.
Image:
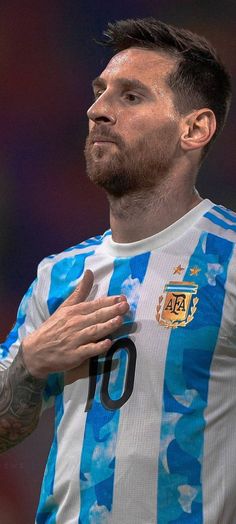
98	455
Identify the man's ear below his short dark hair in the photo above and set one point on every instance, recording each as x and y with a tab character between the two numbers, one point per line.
198	129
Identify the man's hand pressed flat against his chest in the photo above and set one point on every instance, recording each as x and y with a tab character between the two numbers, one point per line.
75	332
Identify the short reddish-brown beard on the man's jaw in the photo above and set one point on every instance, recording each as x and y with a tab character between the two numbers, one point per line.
132	169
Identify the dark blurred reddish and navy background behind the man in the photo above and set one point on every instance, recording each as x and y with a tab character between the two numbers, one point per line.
47	61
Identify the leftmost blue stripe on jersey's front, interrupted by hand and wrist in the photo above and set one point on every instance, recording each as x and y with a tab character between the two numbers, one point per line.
64	276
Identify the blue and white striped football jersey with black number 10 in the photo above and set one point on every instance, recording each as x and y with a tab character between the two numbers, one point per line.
146	433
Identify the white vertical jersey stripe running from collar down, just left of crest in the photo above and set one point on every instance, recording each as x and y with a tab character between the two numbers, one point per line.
135	490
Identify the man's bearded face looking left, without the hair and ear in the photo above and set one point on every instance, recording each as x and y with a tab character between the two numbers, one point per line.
134	128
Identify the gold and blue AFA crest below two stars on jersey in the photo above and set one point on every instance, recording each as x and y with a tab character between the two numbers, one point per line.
178	305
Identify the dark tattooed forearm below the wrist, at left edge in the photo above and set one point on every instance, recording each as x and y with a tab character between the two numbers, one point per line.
20	403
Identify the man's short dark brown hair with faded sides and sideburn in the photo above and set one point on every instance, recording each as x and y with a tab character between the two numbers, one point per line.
200	78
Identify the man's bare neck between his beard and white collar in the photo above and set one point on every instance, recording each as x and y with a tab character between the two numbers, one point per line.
140	215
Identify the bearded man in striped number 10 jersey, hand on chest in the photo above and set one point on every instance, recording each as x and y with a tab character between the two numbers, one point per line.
144	430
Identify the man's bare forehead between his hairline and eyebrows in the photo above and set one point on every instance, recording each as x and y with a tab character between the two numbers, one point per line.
146	65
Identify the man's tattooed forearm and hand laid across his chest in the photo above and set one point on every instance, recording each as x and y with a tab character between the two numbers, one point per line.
76	331
